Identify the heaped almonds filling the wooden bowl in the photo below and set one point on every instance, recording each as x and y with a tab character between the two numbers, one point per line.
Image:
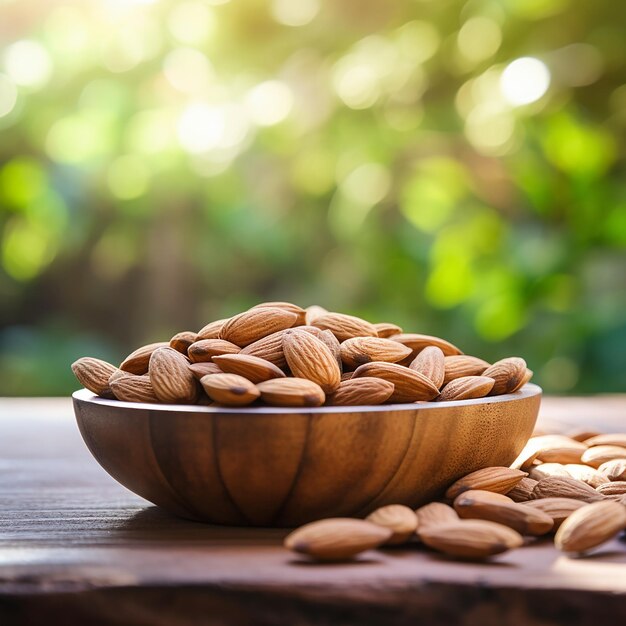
284	355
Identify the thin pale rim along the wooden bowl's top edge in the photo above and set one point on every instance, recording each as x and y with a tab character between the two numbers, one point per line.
84	395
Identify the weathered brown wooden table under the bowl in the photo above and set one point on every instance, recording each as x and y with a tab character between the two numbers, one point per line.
77	548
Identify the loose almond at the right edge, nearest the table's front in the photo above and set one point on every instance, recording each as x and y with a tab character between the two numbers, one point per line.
590	526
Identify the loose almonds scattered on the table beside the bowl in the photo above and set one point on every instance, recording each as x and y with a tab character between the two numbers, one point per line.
571	487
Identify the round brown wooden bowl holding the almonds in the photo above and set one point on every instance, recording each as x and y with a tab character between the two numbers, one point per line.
281	467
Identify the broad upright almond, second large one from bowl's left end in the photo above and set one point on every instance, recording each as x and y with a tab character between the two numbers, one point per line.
171	378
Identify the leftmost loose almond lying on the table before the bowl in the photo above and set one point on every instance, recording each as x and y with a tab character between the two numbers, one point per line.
336	539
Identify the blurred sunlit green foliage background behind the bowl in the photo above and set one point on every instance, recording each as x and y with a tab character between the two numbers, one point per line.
453	166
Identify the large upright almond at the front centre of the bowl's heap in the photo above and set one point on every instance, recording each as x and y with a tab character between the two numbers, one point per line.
310	358
